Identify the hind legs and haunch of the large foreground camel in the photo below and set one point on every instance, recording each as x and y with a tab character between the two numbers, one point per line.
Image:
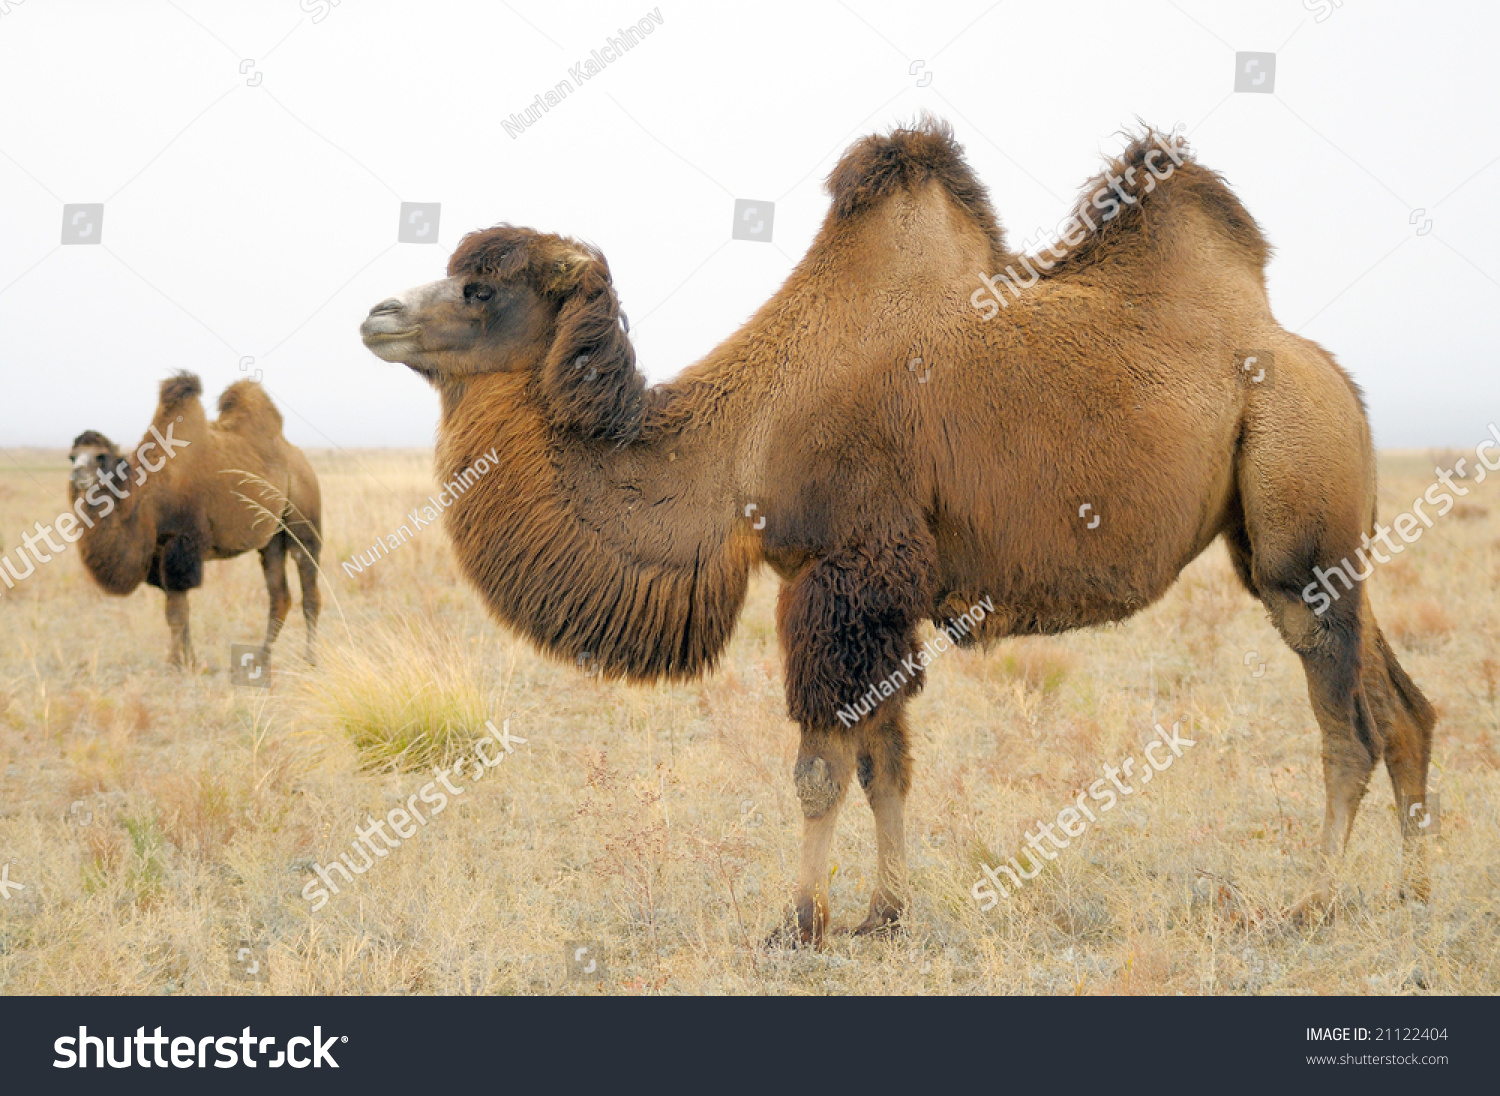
1304	554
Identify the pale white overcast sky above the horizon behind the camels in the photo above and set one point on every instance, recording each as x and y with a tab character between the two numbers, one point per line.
253	157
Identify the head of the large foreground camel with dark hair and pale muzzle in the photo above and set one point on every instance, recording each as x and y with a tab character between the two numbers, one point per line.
521	302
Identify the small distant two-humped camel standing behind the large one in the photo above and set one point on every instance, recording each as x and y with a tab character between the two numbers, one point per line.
211	491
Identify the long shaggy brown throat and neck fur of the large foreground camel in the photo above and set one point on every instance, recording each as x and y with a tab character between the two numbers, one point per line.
607	557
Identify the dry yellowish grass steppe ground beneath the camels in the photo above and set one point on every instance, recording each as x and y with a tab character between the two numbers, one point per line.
161	821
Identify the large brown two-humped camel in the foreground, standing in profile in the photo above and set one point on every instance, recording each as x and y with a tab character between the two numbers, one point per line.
899	454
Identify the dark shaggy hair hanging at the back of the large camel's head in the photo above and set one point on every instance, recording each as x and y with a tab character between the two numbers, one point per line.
590	380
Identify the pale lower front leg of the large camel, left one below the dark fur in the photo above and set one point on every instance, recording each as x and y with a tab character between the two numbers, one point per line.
823	774
